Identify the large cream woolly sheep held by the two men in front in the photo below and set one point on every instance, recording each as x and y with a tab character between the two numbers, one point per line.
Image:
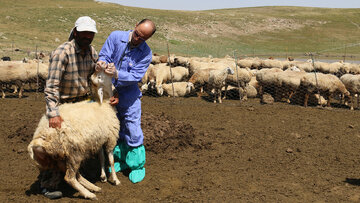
87	127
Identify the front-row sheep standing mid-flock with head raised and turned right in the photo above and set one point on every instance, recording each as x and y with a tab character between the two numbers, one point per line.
217	80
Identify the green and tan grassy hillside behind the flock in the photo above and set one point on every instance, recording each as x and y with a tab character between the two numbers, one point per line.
250	31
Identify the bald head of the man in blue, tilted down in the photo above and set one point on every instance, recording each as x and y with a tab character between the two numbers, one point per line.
143	31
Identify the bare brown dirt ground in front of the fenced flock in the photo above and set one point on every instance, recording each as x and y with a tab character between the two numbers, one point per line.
198	151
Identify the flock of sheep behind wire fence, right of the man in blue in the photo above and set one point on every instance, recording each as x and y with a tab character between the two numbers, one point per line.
254	77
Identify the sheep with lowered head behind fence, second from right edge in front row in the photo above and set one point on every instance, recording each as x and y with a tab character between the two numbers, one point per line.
326	84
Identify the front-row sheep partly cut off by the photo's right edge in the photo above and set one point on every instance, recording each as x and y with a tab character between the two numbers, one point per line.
352	84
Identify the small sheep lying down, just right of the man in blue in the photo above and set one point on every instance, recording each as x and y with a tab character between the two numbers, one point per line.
181	89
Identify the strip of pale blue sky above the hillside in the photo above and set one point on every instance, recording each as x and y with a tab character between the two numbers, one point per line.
219	4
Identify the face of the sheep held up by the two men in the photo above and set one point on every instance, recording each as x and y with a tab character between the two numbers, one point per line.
101	85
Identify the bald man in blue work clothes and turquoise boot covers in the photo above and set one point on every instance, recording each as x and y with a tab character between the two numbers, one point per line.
126	56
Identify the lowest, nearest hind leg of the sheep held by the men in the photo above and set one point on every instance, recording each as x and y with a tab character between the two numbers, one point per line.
70	178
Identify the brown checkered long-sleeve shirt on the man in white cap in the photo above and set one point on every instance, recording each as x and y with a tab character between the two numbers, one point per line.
69	73
